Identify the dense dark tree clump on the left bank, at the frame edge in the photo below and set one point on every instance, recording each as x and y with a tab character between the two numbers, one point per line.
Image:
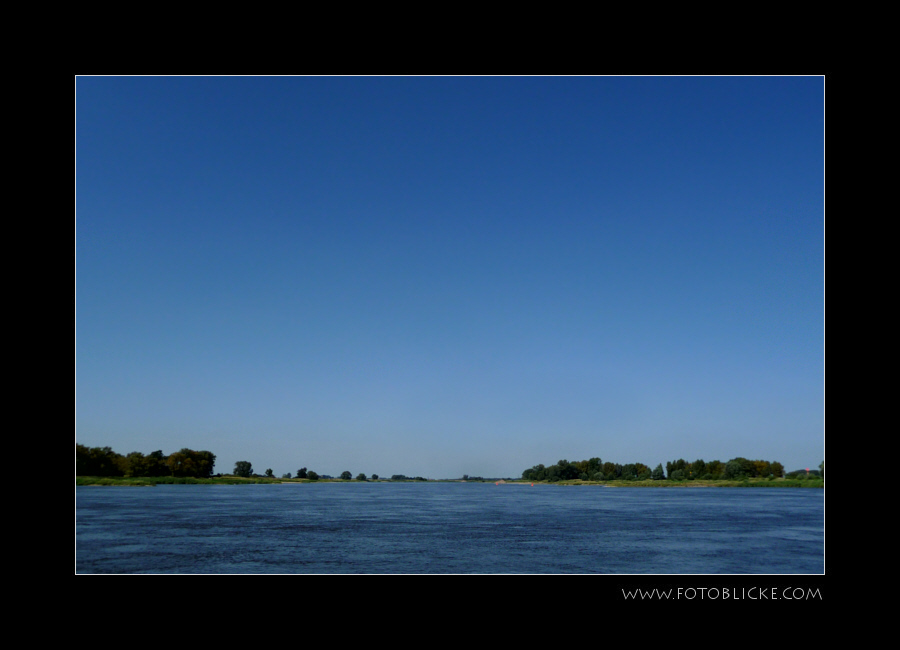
103	461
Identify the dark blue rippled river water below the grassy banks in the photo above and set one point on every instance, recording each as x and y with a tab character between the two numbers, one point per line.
448	528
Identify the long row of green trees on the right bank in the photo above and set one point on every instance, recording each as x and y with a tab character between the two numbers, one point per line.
594	469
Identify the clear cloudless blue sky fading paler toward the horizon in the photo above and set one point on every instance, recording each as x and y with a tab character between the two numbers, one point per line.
445	275
